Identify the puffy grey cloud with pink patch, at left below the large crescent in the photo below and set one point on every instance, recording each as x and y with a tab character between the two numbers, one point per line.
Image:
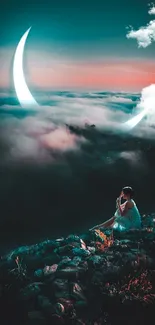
34	139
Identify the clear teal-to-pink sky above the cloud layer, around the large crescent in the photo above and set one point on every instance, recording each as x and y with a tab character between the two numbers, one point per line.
86	38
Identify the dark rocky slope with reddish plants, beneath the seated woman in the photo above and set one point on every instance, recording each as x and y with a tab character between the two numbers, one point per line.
102	277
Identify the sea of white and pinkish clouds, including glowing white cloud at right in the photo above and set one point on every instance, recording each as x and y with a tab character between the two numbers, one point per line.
34	137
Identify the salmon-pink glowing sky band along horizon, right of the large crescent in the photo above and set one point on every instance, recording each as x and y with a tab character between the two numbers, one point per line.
125	76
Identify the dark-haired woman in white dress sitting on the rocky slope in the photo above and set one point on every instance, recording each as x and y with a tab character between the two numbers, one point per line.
126	216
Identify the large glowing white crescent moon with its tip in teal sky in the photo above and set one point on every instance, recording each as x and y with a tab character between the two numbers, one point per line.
23	94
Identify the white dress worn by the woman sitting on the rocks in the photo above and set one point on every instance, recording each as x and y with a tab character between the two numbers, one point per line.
132	219
